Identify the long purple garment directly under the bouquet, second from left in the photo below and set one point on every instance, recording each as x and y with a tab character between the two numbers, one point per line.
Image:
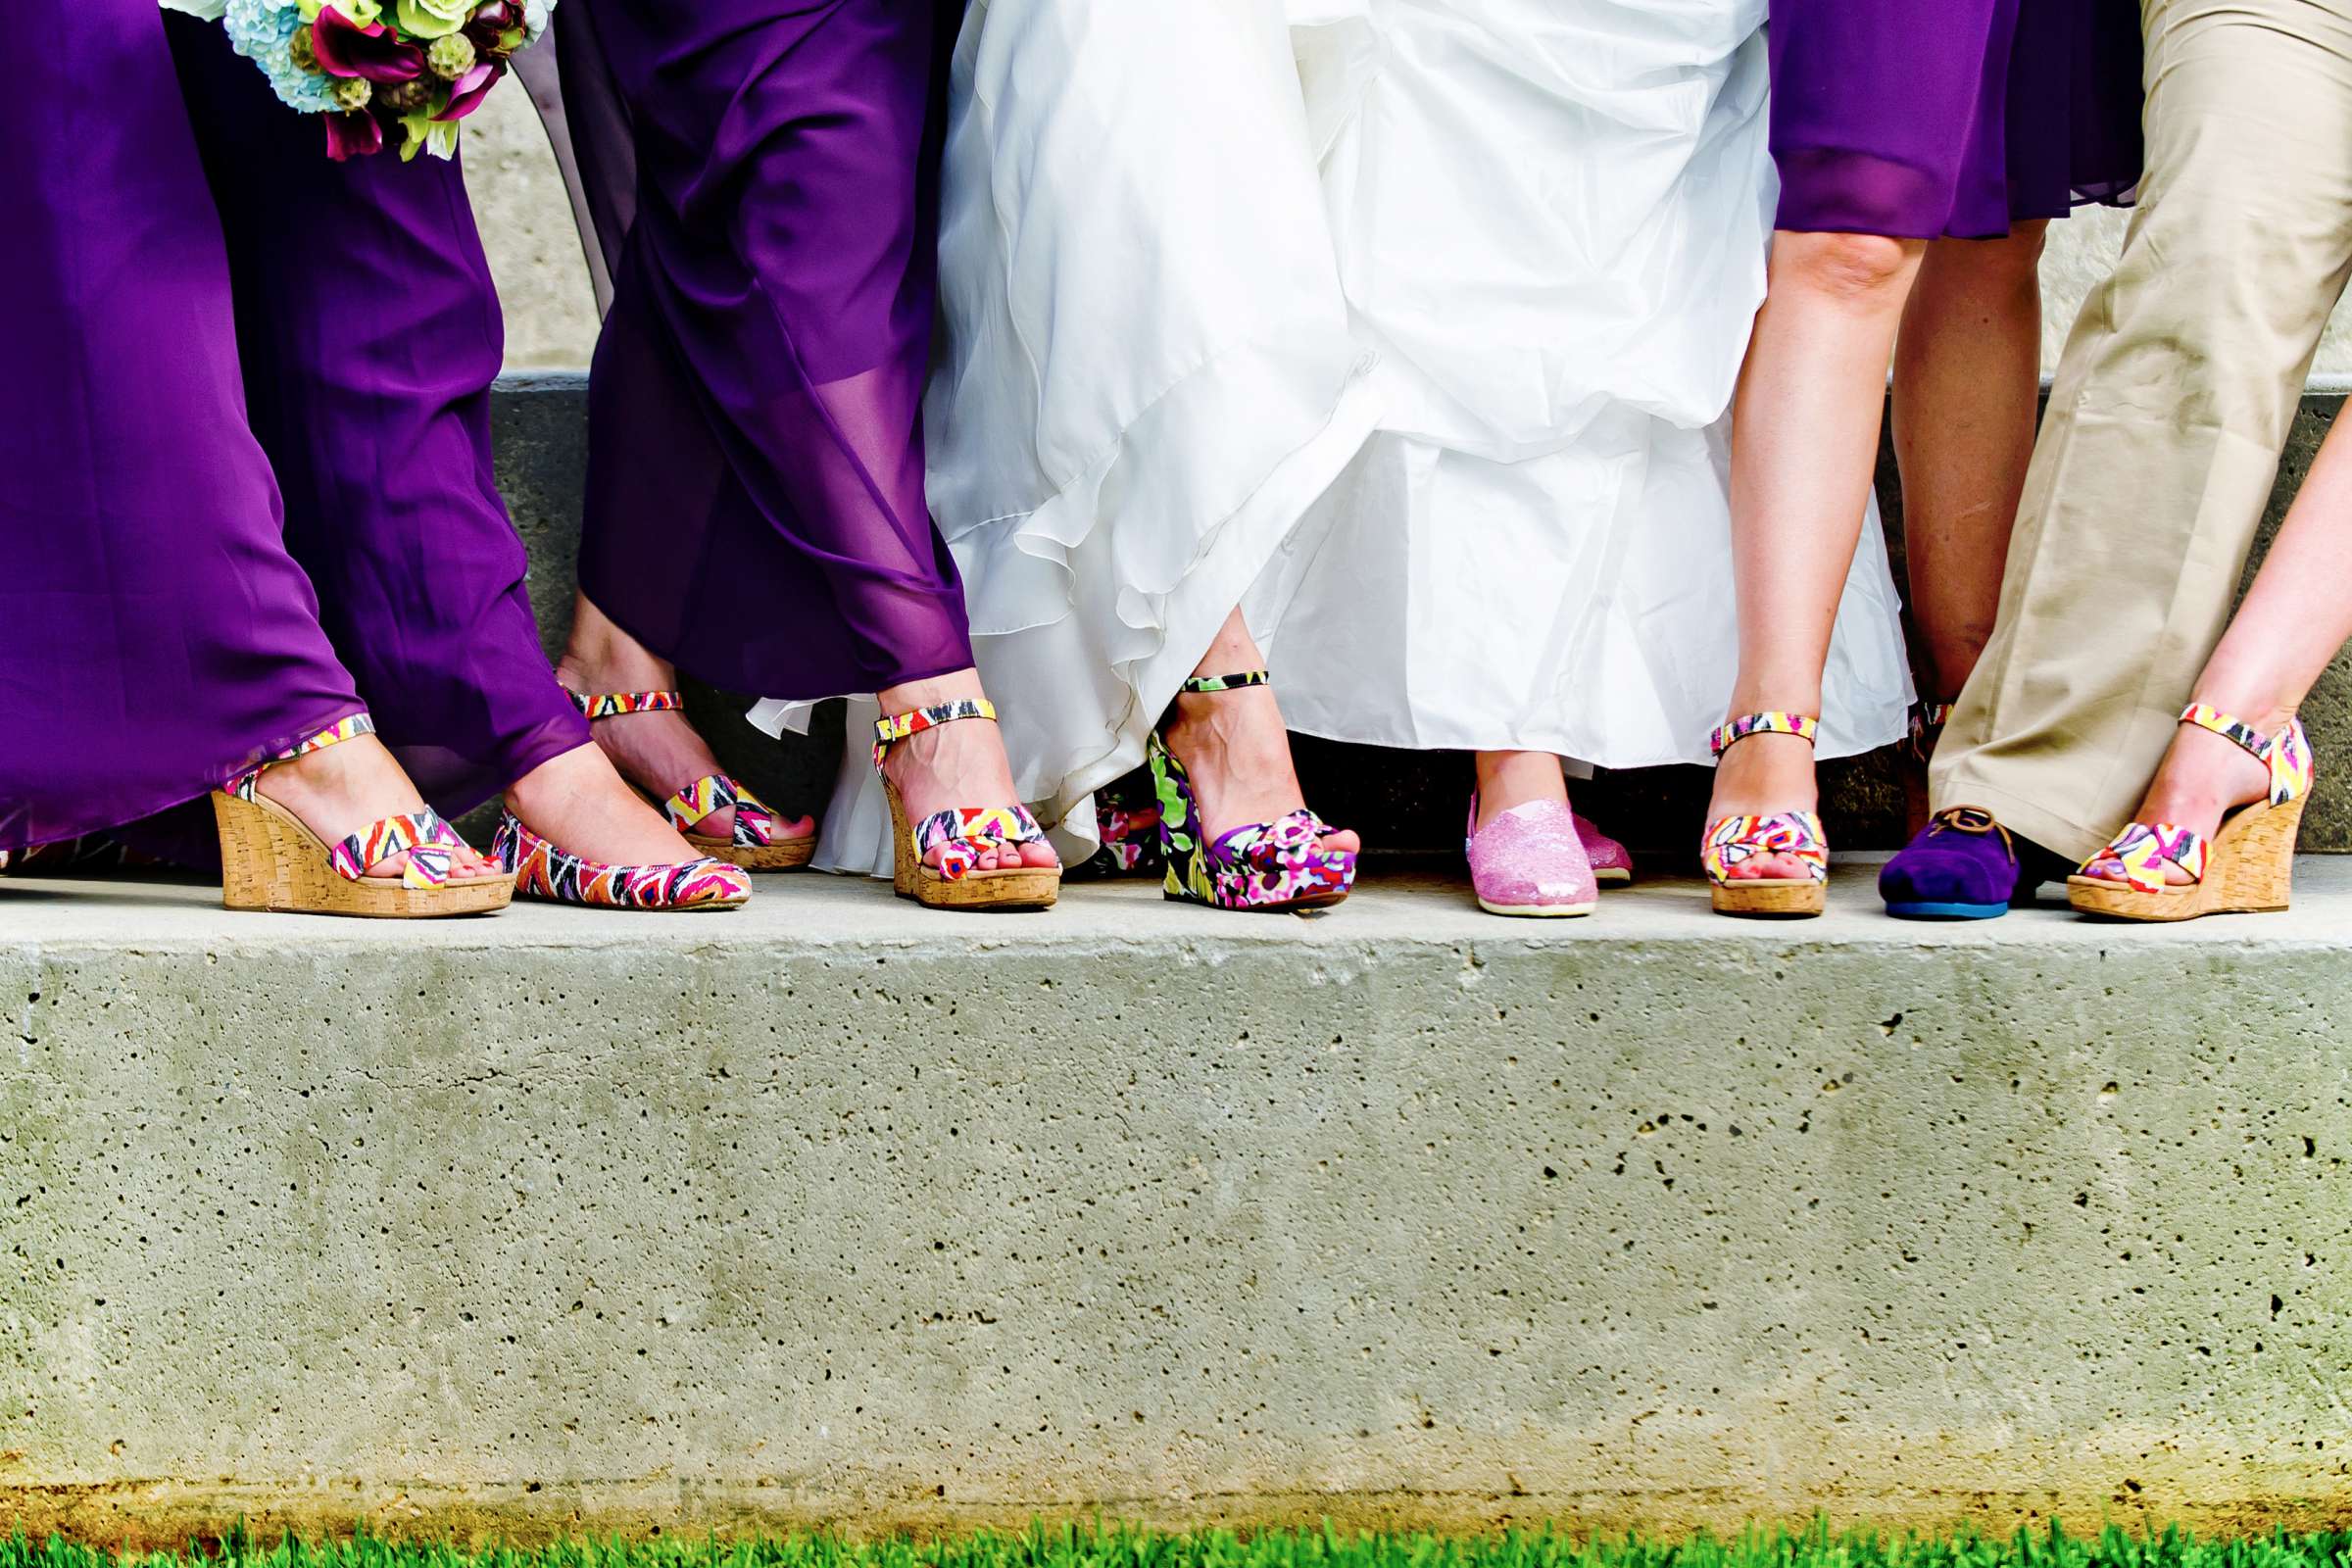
370	337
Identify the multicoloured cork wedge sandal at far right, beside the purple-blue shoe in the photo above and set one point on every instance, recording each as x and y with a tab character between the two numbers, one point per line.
2247	869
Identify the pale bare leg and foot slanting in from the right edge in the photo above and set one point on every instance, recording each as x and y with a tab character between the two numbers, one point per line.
2294	622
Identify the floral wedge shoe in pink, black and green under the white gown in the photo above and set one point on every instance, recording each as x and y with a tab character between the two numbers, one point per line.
1257	866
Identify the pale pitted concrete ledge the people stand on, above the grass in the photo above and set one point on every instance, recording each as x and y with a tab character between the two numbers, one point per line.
838	1212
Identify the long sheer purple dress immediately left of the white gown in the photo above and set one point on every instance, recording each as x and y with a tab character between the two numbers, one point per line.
763	182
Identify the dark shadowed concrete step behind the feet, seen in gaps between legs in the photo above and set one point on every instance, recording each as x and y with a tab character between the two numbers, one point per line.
1398	800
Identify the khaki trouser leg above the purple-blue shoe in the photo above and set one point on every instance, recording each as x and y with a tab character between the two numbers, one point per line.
2167	422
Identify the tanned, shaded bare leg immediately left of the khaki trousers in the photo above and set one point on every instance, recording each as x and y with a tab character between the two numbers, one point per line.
1967	375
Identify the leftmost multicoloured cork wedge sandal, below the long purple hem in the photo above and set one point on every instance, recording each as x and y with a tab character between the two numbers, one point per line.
274	862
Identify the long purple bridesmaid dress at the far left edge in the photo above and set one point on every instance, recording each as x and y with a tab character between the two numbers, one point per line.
154	634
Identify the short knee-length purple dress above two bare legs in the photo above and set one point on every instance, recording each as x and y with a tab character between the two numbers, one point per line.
1951	119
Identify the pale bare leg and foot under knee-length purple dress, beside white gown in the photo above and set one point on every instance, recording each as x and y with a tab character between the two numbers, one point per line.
1805	436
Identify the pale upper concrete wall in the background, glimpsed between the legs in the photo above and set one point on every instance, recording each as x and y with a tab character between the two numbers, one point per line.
552	319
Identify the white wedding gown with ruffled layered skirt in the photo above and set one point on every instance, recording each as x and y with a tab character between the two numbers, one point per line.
1410	326
